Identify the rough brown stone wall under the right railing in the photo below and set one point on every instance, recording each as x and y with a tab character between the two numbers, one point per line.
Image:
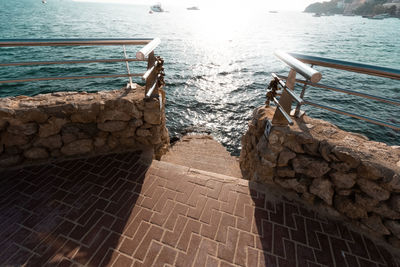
327	167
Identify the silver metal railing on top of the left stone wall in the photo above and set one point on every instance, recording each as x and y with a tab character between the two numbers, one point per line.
143	55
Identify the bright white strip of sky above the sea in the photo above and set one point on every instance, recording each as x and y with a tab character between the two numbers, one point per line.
298	5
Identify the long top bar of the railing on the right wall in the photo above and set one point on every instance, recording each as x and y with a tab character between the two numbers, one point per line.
349	66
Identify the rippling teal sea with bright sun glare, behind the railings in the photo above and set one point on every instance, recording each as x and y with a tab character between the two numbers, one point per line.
217	62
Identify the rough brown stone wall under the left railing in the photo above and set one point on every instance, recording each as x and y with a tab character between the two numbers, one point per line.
70	124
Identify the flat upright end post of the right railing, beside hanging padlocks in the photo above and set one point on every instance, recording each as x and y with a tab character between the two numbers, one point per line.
285	100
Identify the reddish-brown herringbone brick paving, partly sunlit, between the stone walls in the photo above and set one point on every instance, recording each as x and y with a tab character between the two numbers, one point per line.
116	210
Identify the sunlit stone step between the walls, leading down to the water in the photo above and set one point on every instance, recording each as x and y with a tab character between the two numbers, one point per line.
204	153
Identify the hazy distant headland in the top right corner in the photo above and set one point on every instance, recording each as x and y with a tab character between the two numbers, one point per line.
356	7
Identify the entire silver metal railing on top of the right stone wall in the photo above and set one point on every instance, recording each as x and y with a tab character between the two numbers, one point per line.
292	60
